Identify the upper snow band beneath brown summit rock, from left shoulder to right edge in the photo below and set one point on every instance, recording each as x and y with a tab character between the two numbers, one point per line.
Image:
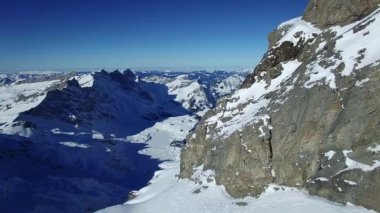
356	45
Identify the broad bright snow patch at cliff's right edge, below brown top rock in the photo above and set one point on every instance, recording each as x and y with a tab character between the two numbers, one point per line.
356	49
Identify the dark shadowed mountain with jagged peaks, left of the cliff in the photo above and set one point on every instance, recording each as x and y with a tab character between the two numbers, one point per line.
115	104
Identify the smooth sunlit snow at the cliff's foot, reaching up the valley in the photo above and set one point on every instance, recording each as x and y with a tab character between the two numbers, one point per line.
168	193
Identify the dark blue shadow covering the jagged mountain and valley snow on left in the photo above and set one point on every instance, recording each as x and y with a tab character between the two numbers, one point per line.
62	167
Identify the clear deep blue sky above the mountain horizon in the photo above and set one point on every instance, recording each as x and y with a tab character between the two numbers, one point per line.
77	34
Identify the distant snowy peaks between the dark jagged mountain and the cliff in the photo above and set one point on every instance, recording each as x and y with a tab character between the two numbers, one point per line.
197	91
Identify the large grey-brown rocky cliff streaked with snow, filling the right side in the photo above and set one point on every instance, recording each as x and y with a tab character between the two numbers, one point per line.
308	114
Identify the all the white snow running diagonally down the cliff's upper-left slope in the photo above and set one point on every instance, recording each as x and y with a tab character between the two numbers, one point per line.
356	48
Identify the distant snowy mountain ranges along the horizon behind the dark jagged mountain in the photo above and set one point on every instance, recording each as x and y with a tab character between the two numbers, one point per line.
196	91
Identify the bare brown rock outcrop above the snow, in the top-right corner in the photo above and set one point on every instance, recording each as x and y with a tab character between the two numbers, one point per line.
326	13
